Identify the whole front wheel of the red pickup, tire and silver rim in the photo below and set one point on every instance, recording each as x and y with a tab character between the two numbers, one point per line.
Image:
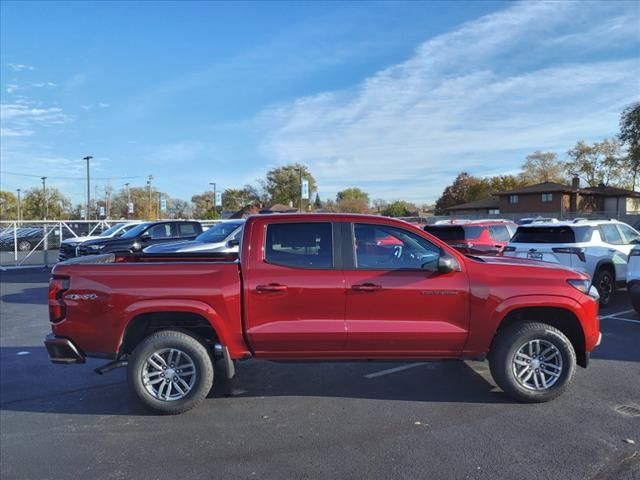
532	362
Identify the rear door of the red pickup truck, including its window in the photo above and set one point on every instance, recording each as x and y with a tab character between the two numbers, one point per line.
294	290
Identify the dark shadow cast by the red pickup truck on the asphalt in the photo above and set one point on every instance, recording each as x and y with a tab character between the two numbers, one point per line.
30	383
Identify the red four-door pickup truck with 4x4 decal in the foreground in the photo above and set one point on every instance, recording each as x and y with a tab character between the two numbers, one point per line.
321	287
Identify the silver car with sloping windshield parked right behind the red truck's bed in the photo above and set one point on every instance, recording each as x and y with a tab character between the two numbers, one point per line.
223	237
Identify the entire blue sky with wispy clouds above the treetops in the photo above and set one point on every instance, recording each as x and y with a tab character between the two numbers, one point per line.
395	98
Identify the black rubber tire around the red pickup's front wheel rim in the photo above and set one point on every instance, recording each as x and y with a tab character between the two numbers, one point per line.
509	342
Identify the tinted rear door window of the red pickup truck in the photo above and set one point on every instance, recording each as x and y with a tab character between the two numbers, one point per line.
300	245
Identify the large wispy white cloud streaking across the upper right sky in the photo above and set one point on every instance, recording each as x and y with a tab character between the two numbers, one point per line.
474	98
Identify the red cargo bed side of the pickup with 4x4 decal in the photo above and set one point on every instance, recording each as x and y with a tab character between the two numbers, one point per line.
108	292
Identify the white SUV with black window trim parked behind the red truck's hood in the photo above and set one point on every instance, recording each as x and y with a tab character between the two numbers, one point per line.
599	248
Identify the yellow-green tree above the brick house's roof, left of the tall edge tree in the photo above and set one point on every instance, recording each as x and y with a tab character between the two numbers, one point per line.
599	163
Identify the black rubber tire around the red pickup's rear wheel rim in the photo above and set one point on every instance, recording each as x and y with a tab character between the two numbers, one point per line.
196	351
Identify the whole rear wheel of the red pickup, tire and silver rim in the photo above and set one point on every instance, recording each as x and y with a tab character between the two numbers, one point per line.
170	372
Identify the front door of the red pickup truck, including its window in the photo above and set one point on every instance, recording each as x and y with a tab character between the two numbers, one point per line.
398	303
